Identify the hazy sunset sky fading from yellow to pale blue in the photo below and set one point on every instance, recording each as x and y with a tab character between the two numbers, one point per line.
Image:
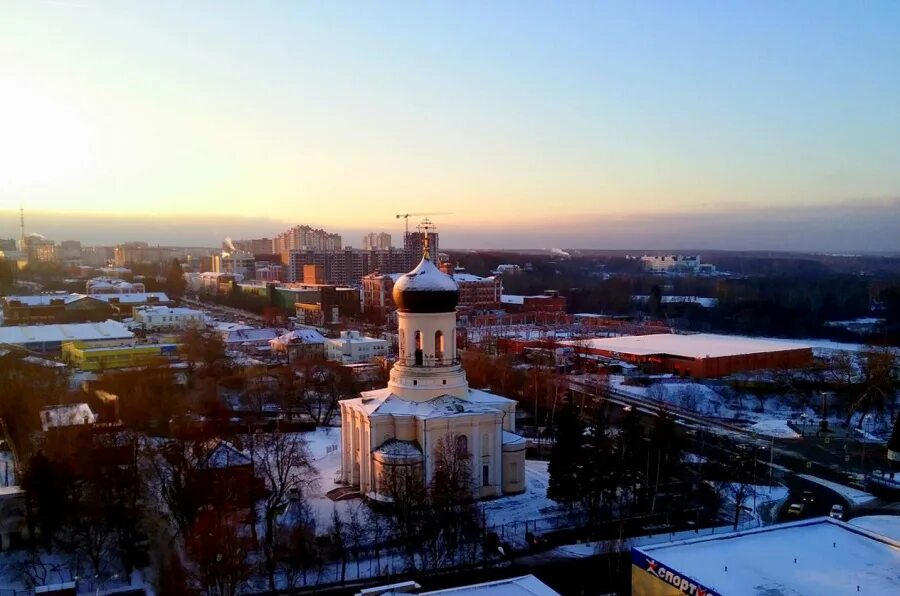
607	124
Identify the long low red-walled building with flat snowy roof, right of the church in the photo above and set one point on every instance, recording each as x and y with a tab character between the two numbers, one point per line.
698	356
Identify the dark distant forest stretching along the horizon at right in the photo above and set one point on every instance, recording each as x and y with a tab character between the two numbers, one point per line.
779	295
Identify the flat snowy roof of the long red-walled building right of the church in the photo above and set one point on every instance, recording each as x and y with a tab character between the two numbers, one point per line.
701	345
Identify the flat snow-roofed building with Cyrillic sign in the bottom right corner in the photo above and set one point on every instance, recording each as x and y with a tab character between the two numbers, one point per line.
810	557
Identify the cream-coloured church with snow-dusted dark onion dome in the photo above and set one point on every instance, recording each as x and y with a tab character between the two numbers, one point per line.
428	403
